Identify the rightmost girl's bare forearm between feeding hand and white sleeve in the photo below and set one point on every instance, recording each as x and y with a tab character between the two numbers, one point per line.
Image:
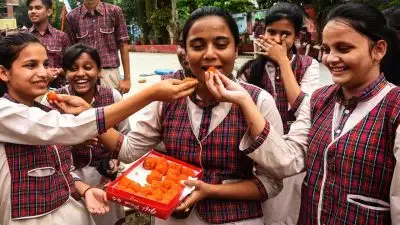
254	118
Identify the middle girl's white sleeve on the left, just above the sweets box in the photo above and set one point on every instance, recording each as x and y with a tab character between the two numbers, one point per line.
145	134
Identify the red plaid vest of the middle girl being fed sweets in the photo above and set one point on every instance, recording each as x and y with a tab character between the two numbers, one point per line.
217	153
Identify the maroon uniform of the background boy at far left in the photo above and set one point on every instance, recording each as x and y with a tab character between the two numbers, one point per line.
55	42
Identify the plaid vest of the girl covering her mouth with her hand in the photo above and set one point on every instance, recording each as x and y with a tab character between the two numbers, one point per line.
299	67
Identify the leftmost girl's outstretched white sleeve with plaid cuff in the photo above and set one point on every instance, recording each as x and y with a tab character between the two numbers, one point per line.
21	124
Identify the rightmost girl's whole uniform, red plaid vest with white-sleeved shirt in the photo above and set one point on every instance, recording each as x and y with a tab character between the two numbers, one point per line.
349	150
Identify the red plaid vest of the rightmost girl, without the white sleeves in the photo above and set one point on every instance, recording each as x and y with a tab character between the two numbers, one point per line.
360	162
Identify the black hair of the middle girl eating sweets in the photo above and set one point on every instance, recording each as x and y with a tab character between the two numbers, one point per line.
210	11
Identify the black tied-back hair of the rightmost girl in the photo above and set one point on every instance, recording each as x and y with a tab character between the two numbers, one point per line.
371	23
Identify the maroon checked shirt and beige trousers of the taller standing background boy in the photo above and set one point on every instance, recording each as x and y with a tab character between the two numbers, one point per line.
104	31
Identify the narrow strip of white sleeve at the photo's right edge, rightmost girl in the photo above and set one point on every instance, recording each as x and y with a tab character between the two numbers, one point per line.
395	186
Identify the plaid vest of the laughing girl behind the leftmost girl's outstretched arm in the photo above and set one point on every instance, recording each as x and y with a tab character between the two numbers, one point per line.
83	157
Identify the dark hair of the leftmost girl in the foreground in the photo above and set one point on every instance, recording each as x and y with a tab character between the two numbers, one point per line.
10	47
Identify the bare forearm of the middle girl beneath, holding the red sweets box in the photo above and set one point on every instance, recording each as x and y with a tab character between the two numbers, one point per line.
244	190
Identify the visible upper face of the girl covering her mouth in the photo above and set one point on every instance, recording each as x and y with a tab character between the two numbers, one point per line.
276	30
